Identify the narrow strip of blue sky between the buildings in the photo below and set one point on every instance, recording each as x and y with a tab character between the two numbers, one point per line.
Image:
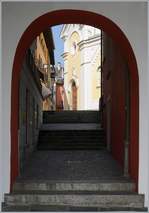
59	45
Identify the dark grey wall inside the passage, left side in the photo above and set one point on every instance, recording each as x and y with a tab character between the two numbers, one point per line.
28	126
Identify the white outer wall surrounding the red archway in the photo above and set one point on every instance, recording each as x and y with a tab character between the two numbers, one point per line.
131	17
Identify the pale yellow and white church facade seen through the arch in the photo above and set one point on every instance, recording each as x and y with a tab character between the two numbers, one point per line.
82	66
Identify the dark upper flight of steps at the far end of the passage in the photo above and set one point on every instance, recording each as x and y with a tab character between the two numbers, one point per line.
71	130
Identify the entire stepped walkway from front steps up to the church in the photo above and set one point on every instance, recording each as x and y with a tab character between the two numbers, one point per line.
72	171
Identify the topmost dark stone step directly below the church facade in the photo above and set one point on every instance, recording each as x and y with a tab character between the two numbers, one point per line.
71	117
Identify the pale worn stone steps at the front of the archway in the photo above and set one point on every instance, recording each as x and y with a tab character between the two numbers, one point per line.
73	196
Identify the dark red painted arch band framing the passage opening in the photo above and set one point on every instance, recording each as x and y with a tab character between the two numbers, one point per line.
80	17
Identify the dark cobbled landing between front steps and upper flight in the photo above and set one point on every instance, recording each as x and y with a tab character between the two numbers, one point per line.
71	165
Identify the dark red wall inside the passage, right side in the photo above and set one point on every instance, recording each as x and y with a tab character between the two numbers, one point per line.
114	90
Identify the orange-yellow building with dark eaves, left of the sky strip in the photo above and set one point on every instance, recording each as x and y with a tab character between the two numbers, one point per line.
44	58
